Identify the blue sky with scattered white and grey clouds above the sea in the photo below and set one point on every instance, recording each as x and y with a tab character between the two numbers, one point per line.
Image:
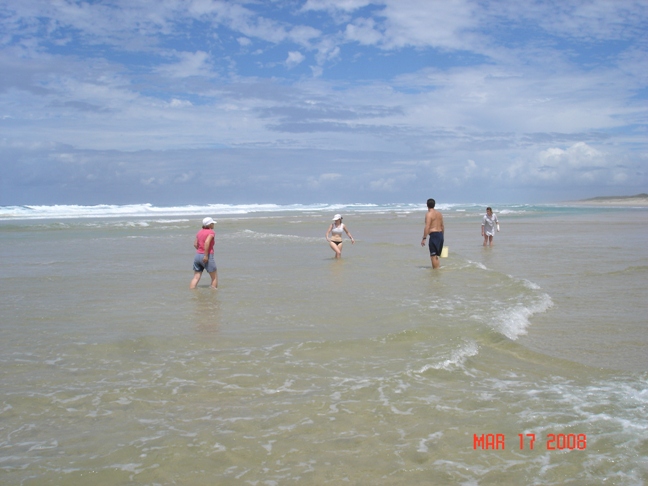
175	102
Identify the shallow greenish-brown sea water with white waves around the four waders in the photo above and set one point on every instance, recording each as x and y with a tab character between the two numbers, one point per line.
523	363
